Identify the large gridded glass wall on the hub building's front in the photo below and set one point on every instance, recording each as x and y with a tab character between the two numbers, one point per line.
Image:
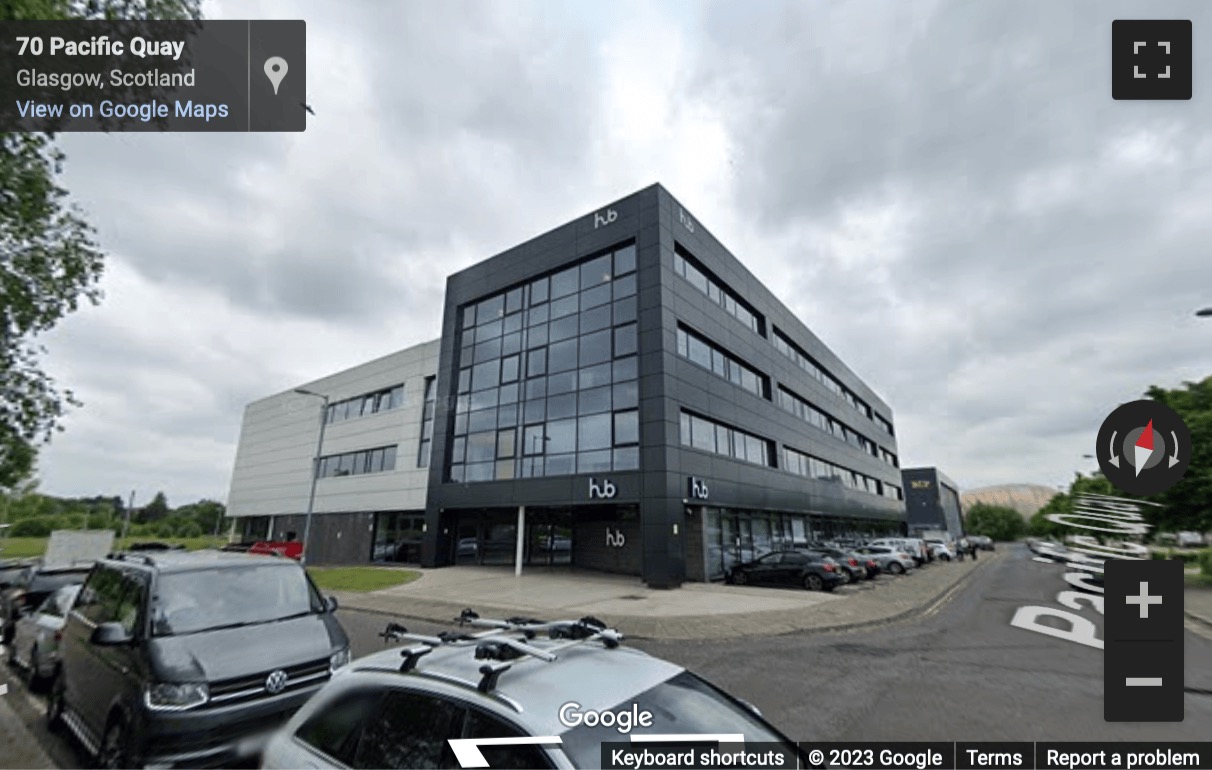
547	380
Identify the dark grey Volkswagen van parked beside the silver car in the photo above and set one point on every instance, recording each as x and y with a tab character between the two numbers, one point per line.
176	658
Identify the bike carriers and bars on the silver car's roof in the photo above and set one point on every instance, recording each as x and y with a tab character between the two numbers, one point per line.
493	646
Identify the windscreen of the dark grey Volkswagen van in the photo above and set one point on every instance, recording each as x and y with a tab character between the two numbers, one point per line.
197	601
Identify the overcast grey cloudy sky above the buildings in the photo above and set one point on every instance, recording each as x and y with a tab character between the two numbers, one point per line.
944	191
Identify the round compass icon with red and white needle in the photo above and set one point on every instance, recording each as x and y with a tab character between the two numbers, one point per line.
1144	448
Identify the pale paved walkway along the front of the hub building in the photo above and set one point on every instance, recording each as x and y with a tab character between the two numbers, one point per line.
694	612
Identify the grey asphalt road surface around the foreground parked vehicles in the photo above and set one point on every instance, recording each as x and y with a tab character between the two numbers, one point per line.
961	672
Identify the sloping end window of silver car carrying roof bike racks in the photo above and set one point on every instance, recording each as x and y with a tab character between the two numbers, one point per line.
682	705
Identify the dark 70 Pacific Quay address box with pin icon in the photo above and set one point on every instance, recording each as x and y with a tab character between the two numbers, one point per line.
208	76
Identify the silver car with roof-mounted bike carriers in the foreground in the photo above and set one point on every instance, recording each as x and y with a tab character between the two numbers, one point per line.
401	708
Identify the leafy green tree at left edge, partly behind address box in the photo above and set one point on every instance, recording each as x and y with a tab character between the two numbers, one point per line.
49	260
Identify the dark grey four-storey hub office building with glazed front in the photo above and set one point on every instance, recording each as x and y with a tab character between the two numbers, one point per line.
622	395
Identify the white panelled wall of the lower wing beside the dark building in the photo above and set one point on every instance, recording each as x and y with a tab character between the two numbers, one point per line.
278	442
